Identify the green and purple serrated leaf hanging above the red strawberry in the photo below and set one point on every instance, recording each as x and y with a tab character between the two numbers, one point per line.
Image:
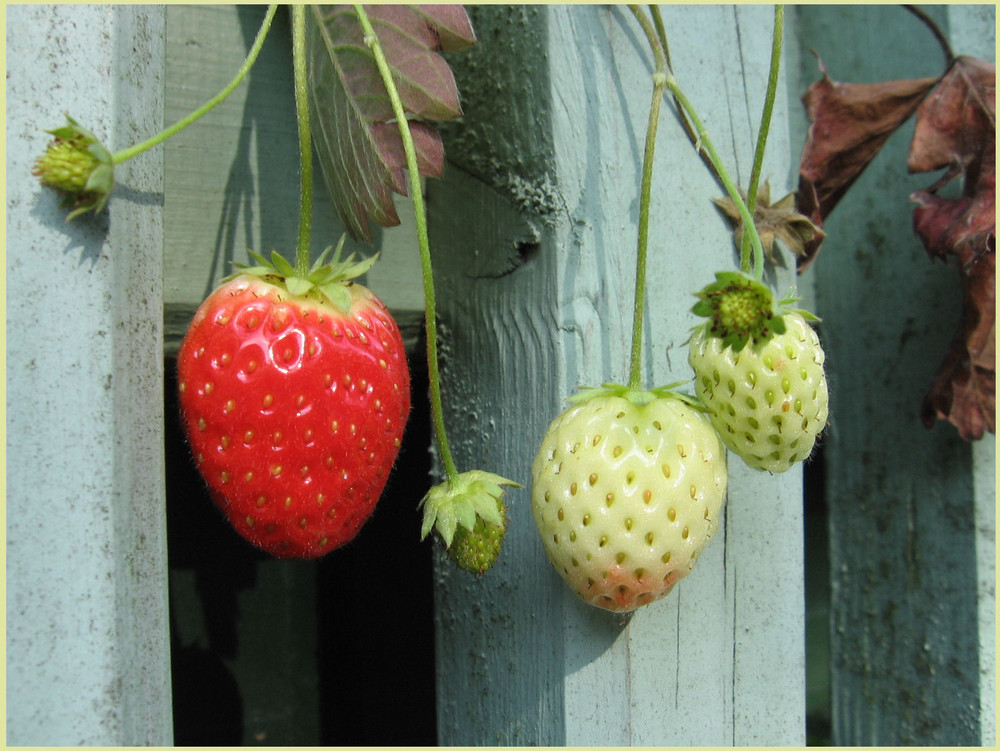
356	136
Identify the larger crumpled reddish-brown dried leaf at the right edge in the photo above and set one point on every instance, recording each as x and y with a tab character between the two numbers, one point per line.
956	131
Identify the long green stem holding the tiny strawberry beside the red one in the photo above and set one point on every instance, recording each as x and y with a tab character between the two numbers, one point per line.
433	373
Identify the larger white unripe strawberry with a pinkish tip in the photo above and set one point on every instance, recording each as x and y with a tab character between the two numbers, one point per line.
628	487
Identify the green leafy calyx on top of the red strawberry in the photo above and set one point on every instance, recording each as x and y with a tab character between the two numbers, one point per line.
323	282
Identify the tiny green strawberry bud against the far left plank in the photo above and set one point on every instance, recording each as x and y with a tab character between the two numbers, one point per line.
76	164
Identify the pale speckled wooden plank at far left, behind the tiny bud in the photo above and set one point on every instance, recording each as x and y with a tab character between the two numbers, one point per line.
87	636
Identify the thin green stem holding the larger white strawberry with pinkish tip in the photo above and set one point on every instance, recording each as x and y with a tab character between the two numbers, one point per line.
639	306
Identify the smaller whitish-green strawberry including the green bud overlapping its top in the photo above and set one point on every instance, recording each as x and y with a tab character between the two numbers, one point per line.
759	370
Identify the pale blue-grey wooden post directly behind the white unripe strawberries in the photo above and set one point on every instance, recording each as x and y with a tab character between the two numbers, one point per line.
520	660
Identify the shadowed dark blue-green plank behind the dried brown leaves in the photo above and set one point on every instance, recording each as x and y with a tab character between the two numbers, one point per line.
904	635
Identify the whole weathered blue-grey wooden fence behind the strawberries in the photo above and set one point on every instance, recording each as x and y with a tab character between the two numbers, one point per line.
533	231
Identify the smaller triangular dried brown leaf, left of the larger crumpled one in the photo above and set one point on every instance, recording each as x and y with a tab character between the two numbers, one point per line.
849	125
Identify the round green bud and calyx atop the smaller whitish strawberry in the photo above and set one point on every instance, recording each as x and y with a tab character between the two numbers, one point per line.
742	310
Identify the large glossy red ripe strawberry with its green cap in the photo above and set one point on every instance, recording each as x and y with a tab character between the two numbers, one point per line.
294	405
